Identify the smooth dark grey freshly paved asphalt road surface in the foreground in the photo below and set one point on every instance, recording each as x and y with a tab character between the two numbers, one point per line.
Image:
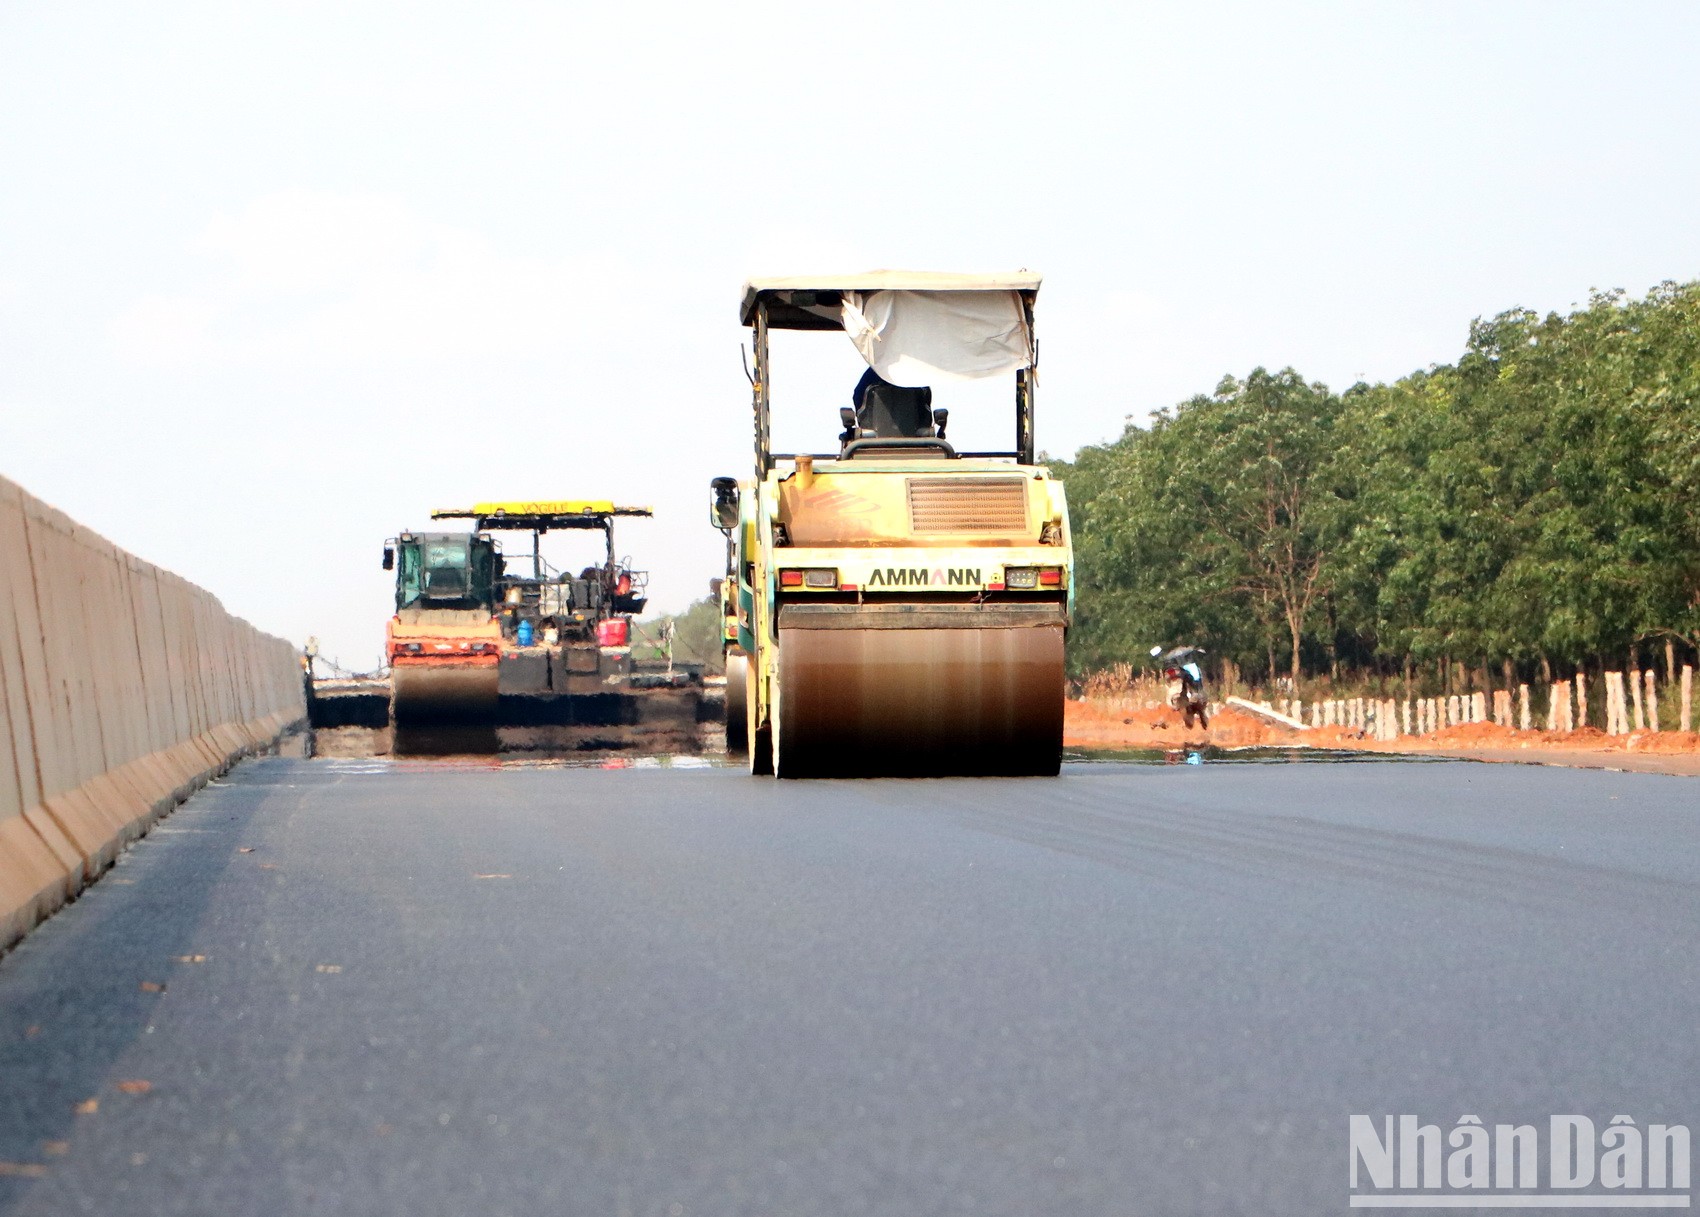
1131	990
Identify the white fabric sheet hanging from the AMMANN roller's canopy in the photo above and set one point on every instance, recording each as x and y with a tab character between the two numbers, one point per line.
915	339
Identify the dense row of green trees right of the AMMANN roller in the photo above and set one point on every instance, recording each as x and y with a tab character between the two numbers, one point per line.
1531	509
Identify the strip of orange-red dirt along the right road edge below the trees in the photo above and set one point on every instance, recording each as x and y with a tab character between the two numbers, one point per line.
1111	725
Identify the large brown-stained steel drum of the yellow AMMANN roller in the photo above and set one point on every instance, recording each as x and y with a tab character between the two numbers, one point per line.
963	701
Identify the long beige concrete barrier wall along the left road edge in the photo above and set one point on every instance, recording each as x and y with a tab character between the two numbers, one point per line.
123	689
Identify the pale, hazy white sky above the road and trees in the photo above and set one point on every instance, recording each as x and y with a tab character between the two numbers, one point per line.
278	280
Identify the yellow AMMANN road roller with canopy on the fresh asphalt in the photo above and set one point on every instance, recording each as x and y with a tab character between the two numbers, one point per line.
900	606
